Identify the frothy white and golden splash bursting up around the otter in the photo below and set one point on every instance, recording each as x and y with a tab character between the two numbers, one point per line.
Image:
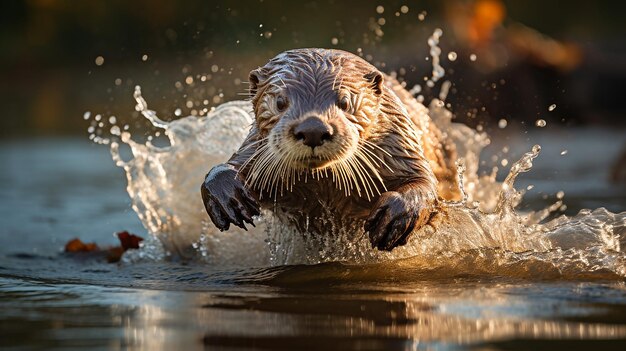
481	234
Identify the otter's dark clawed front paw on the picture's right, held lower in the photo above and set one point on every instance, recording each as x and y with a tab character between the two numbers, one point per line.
393	219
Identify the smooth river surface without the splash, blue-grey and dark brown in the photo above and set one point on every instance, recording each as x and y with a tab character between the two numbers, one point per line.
53	190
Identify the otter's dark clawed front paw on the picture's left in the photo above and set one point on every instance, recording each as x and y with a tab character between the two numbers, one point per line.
227	200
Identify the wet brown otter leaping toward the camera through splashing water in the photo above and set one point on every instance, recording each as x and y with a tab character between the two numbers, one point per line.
334	139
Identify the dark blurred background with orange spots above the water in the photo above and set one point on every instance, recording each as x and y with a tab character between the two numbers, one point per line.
506	59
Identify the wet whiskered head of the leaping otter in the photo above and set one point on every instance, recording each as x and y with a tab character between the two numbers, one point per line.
316	113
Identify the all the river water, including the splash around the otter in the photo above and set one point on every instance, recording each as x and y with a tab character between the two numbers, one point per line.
489	273
